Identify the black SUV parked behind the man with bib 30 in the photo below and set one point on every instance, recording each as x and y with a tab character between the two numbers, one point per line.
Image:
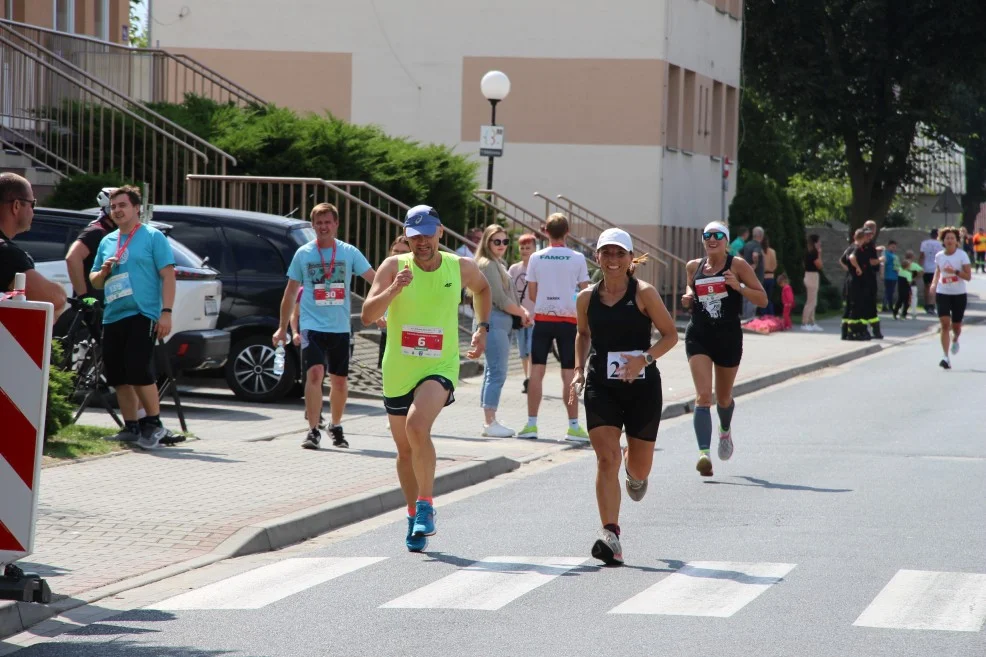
252	252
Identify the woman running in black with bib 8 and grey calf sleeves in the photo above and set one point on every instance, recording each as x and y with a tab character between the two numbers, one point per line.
717	285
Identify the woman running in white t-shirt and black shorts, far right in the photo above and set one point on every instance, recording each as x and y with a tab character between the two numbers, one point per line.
952	269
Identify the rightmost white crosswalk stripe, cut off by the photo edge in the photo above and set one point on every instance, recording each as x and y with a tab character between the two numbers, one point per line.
928	600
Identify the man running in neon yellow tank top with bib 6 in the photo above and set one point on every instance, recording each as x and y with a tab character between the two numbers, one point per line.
420	293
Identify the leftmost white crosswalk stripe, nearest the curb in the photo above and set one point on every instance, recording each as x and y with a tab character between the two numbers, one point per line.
260	587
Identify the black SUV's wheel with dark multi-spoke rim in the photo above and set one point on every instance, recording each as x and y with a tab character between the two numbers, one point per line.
250	371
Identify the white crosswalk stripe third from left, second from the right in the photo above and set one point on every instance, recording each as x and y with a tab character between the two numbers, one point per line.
706	588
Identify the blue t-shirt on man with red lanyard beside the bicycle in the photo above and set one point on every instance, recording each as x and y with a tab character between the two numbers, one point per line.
134	284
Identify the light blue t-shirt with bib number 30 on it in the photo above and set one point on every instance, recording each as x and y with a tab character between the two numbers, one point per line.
330	313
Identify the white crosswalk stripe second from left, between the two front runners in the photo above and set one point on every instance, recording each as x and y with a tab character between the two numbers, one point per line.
488	584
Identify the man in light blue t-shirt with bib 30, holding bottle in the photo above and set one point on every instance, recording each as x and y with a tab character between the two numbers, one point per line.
324	268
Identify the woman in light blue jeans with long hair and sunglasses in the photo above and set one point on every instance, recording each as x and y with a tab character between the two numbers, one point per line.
489	258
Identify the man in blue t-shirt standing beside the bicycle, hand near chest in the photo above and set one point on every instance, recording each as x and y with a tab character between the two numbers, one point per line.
135	268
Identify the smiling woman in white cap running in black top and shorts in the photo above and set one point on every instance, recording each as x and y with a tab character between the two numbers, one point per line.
623	386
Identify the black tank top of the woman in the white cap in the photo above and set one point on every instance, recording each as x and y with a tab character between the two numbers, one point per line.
617	329
